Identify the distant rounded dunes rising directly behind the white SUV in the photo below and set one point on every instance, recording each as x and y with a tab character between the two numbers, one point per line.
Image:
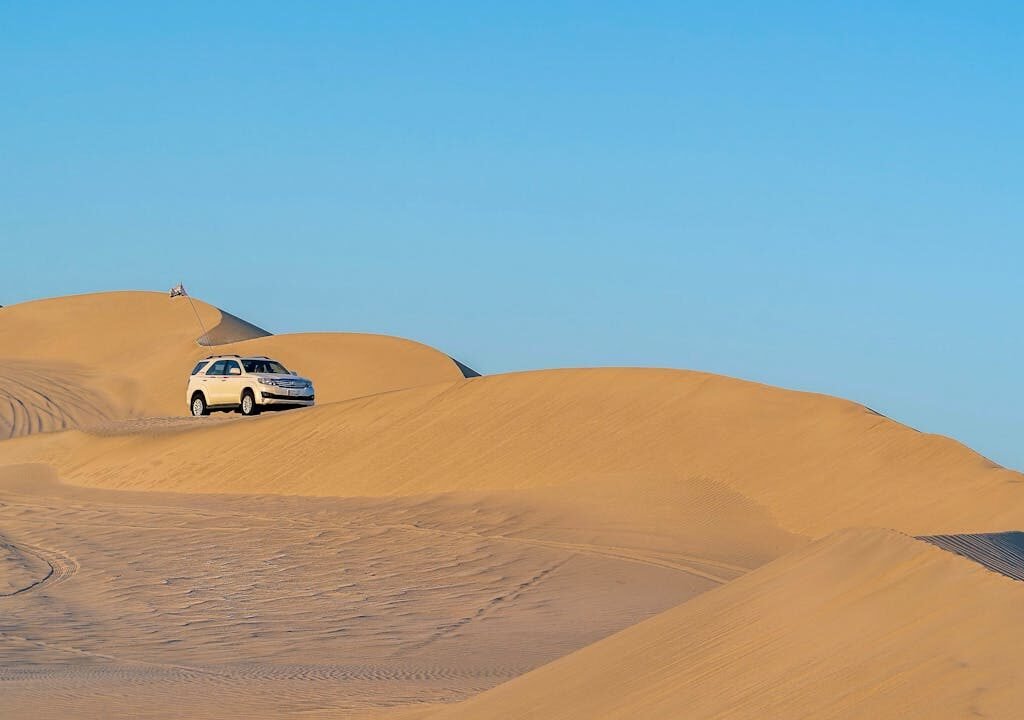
139	349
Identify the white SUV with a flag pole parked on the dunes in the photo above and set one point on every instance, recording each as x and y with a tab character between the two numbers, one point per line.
246	385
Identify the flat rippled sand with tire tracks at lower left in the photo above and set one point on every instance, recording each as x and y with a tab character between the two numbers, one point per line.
162	607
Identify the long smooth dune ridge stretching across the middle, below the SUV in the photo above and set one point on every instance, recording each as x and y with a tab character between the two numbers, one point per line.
814	464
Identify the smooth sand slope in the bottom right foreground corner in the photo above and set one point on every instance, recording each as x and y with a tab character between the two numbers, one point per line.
865	624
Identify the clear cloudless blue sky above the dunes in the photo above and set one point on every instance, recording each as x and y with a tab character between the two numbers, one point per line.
822	196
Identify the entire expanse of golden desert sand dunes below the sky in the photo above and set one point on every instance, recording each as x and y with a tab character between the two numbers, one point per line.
566	544
